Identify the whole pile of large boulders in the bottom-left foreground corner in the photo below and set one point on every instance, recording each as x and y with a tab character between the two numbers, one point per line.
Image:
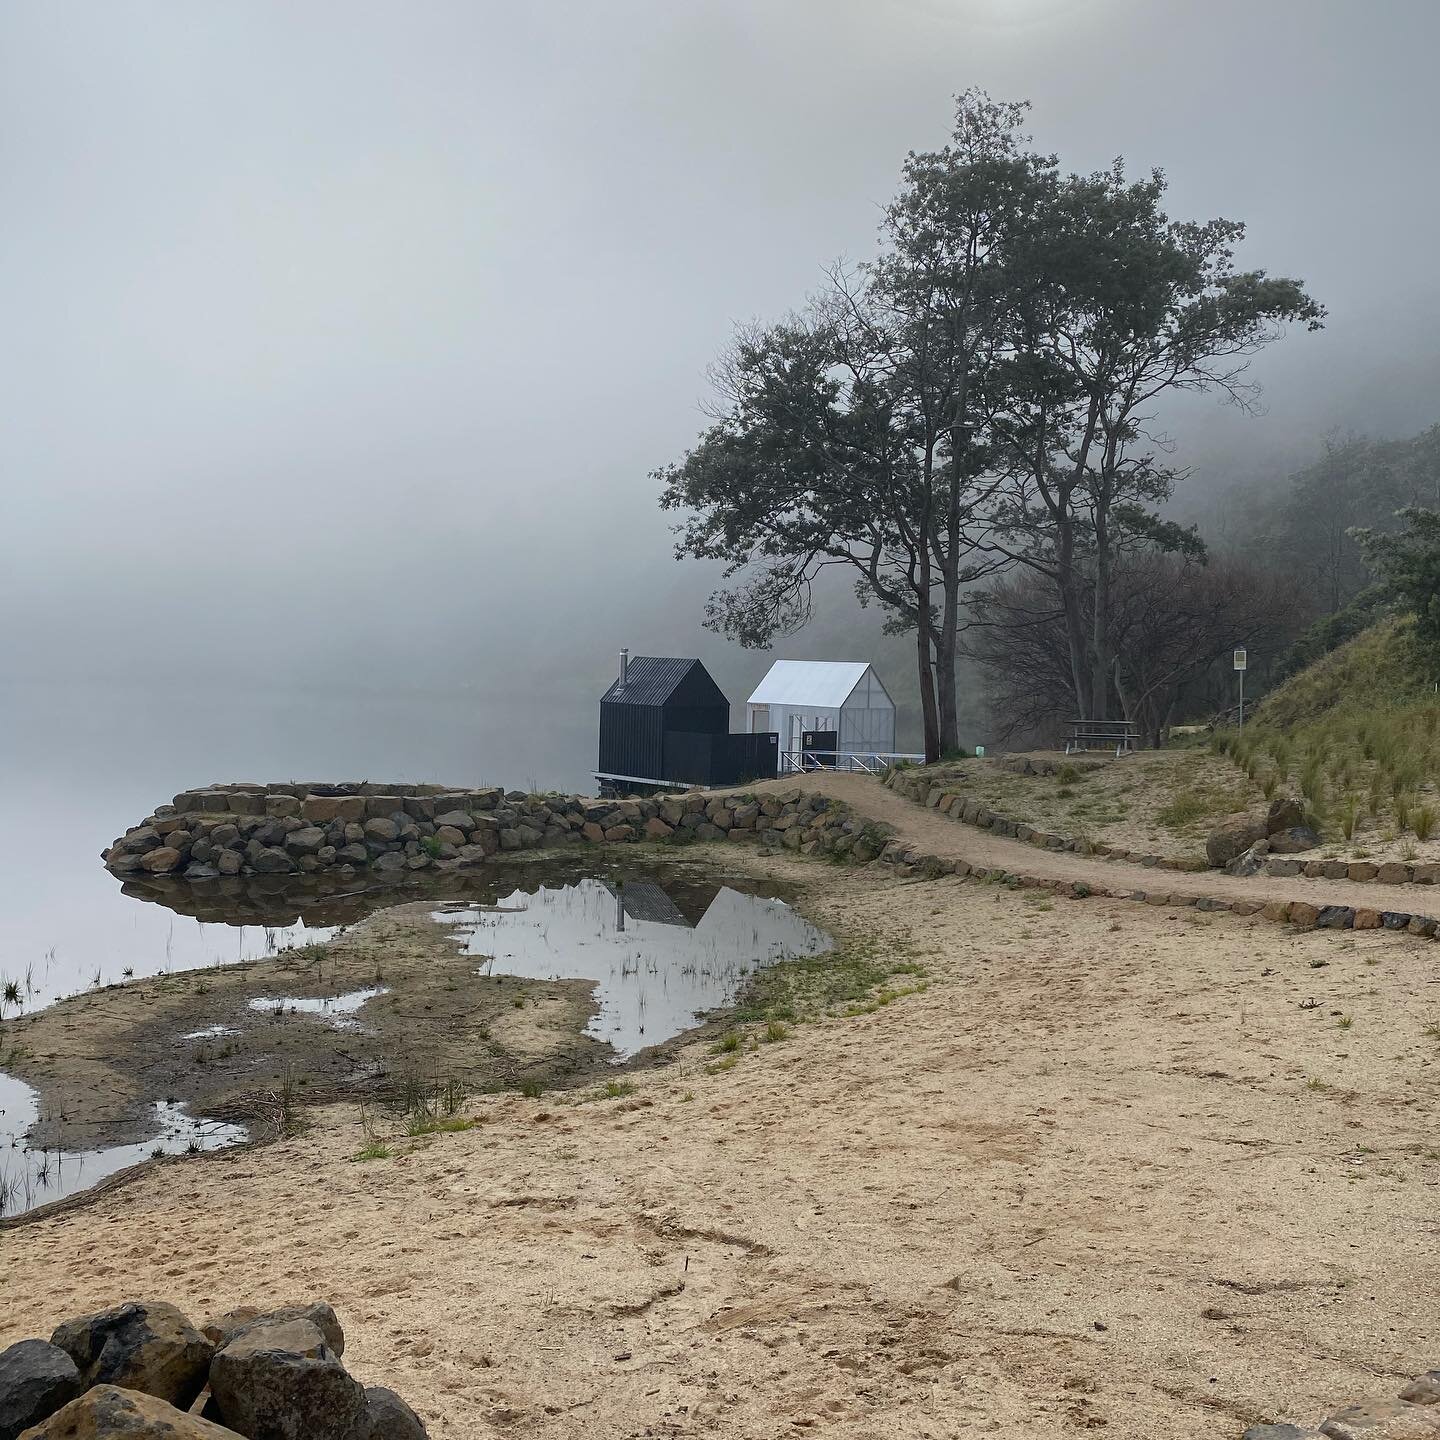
146	1373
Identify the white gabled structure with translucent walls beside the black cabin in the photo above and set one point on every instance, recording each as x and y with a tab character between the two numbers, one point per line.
839	696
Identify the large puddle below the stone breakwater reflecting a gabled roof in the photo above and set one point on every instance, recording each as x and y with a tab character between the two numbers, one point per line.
654	970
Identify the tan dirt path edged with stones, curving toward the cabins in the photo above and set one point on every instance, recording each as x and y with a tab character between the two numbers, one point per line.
953	840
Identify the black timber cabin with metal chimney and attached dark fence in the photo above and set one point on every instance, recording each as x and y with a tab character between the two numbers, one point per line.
665	722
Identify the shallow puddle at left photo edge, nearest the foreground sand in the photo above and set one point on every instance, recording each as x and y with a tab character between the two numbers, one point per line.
34	1177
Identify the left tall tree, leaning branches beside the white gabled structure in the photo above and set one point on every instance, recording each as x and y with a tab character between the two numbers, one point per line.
855	434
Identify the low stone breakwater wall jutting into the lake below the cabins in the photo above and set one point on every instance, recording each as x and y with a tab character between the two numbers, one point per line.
297	829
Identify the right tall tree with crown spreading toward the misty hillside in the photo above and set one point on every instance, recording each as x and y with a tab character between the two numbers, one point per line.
1128	309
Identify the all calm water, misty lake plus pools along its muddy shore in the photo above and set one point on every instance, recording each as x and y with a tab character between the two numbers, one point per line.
80	765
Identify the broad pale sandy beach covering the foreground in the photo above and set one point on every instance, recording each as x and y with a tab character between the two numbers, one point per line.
1079	1182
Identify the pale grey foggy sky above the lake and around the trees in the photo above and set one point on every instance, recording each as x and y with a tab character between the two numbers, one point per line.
339	339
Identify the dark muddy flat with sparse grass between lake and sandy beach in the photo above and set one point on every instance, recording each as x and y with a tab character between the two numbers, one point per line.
100	1061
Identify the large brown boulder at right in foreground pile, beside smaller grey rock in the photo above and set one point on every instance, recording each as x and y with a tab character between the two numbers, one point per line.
279	1380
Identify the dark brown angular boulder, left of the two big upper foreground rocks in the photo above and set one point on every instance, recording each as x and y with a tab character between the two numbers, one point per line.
149	1347
